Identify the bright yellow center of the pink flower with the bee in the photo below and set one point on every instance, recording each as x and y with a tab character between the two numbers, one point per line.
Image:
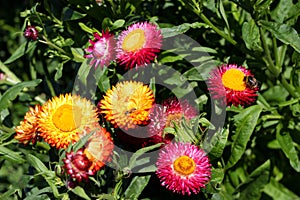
234	79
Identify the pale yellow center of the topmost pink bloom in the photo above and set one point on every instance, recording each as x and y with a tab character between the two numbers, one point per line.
134	40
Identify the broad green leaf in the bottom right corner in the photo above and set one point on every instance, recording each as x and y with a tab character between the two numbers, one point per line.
278	192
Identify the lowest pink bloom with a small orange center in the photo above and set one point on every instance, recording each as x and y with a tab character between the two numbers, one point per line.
183	168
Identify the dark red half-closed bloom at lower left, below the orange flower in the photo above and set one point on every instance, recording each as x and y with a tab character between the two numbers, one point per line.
77	165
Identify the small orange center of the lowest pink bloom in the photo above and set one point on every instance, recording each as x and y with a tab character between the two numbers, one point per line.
184	165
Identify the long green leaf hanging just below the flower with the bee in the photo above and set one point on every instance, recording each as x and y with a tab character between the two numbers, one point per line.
245	123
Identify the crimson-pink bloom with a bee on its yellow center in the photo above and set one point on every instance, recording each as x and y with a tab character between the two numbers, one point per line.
230	83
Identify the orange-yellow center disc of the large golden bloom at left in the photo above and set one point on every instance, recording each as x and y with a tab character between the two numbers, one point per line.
67	117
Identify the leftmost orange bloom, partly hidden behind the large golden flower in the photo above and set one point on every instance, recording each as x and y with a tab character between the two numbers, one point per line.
27	130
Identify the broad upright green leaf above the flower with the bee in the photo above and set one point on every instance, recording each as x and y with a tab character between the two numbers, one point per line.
251	36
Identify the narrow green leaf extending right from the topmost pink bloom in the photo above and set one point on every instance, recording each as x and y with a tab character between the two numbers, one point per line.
176	30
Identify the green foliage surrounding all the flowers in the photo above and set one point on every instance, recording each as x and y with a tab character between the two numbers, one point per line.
254	152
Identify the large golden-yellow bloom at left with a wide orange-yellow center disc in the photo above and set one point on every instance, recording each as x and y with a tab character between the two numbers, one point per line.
63	119
